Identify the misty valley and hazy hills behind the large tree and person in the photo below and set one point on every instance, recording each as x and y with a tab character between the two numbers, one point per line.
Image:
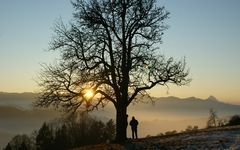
168	113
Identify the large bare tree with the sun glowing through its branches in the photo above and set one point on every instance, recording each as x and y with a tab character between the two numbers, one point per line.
111	48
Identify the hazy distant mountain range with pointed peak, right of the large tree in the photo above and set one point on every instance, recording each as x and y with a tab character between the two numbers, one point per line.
187	107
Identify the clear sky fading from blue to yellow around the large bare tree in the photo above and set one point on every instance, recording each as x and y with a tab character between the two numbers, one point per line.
205	32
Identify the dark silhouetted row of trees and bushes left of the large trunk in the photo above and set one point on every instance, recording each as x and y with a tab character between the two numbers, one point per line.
65	134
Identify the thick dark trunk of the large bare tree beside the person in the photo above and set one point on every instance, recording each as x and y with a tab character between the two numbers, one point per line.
121	123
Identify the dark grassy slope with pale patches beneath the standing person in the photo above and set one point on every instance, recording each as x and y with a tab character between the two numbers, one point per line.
222	138
